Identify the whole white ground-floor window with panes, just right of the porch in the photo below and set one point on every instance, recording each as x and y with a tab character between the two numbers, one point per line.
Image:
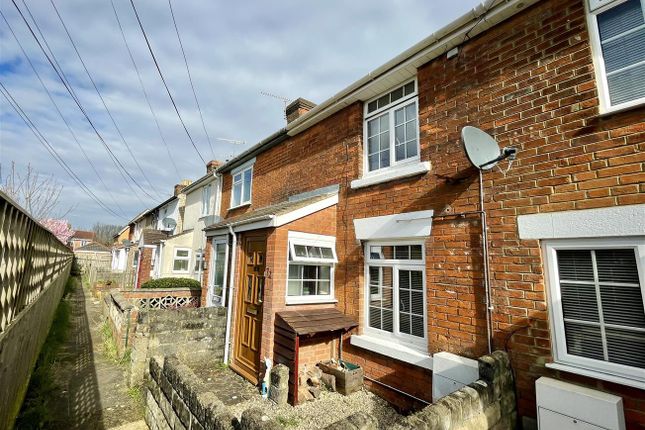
395	293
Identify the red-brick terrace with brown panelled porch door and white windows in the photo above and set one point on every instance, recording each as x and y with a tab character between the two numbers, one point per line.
366	206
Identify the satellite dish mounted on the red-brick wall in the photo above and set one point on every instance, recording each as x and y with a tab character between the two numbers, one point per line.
482	150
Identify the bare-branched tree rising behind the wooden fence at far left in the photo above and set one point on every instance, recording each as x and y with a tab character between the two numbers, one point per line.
38	194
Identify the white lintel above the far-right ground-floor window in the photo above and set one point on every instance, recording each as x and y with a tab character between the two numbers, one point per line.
614	221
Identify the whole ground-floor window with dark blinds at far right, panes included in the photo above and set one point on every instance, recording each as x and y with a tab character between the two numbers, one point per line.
596	291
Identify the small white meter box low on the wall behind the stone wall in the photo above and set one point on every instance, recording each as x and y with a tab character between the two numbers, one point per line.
450	373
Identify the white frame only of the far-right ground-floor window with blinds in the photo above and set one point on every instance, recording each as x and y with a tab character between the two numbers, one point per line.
598	368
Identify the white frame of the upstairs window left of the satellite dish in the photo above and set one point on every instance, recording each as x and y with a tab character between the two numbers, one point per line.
389	109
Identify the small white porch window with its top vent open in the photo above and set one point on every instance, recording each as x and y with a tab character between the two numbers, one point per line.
310	272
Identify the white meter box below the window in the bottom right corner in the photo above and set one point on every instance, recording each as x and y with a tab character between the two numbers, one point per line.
566	406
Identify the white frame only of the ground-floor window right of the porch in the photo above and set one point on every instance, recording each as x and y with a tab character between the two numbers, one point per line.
417	343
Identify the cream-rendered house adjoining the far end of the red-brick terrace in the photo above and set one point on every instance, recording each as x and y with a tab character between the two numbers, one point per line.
181	252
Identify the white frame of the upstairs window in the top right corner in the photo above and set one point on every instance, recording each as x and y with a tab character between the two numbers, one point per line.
599	61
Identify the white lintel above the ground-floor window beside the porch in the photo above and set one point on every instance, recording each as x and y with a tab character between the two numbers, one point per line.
398	226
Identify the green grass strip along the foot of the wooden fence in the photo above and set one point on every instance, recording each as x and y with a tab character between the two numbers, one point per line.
34	413
